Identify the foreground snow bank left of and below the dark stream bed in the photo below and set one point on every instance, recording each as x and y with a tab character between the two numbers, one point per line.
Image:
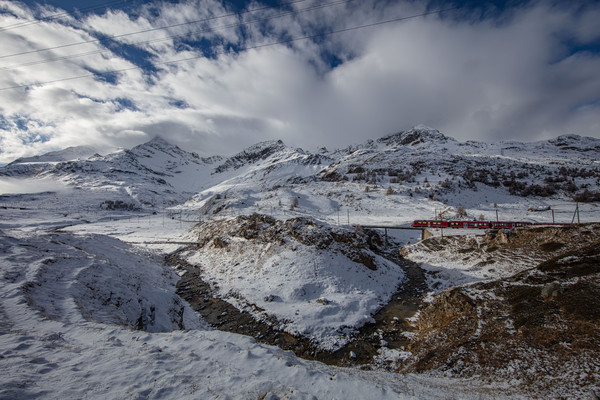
69	304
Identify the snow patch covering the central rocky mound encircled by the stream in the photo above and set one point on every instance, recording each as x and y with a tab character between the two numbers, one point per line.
320	294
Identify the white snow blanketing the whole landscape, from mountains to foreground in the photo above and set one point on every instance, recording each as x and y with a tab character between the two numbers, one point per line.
89	310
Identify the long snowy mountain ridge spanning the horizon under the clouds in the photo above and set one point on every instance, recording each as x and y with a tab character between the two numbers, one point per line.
421	159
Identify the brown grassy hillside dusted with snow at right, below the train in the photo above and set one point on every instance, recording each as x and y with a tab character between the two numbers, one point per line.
538	328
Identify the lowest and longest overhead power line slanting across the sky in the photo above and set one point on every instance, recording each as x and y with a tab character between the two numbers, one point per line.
286	41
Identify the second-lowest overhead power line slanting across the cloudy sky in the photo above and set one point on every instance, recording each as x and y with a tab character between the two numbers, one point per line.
192	33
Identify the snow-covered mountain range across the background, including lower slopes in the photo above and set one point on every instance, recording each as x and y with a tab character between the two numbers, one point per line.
417	163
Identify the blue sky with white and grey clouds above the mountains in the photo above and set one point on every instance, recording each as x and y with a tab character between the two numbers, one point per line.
216	76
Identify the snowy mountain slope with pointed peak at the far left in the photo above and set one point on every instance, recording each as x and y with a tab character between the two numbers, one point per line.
154	174
